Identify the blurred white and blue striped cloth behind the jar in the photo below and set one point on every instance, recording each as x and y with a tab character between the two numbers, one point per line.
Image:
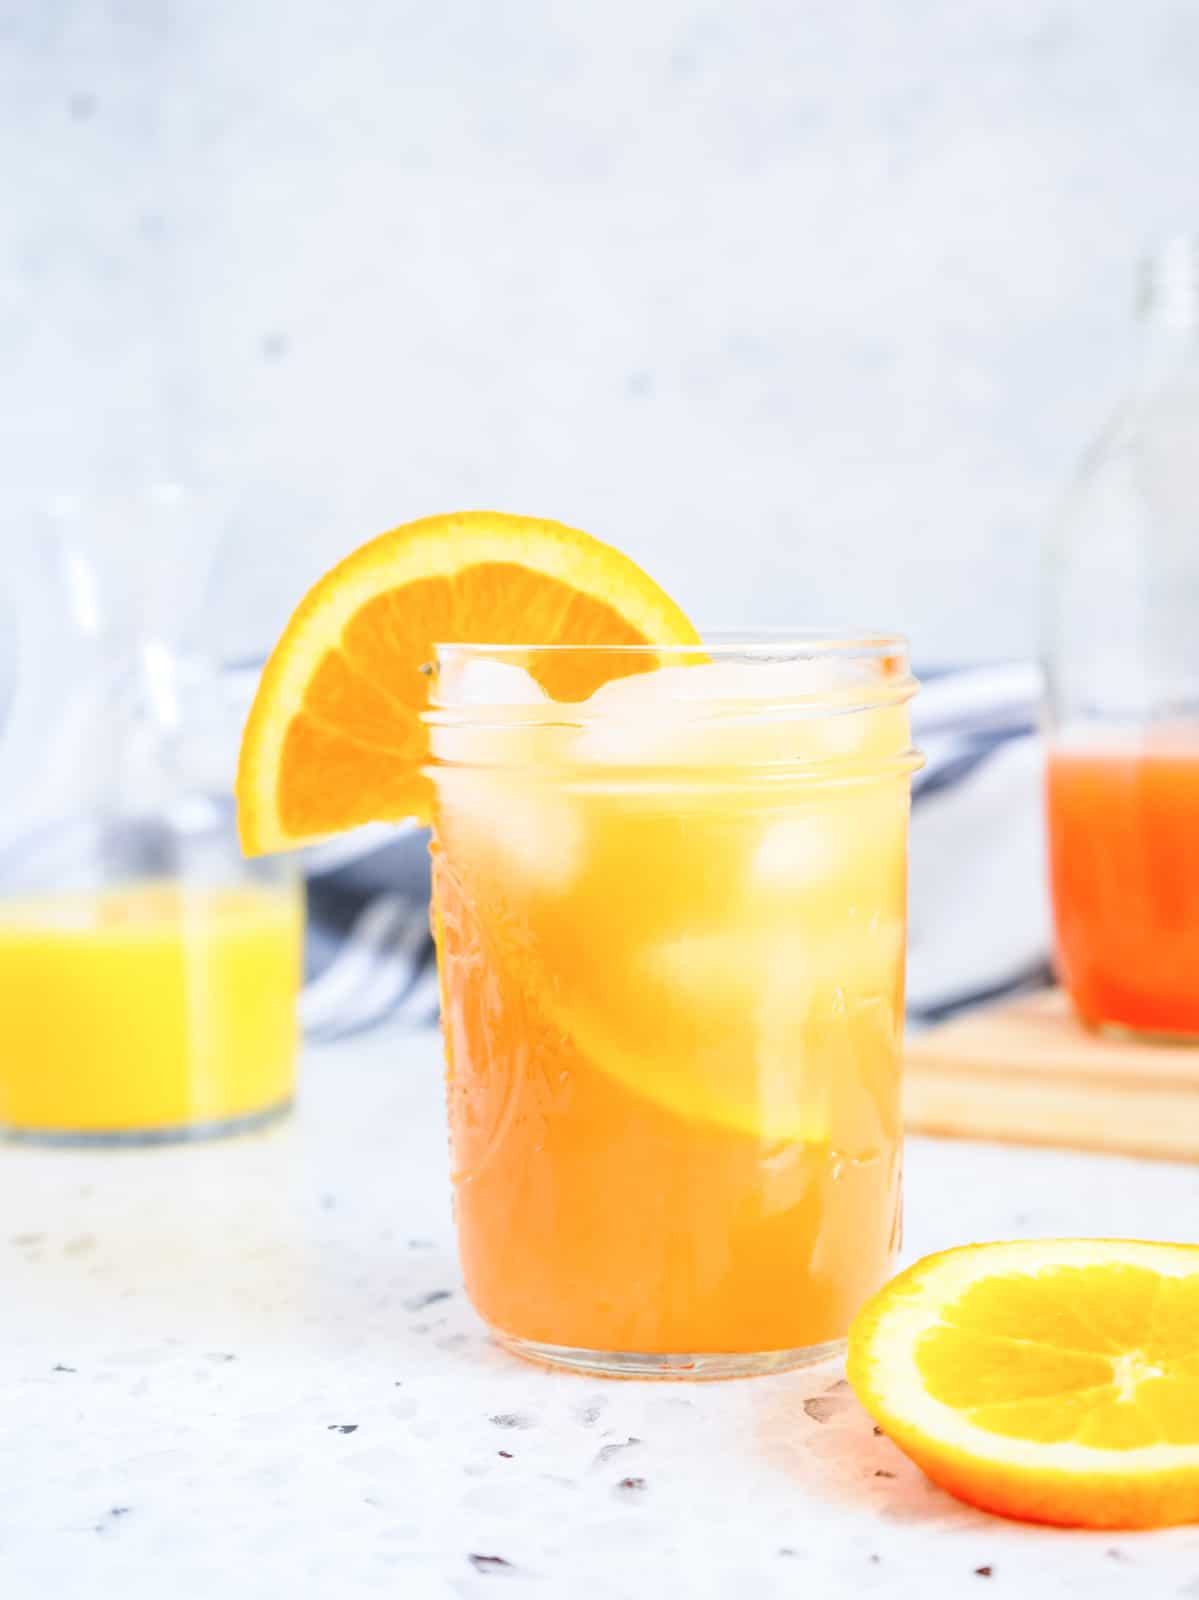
979	902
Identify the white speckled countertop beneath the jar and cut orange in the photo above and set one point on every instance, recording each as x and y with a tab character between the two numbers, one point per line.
247	1370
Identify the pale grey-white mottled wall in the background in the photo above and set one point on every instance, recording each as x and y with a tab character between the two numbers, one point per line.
809	303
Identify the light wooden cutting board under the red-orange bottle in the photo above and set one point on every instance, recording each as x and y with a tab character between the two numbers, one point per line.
1030	1074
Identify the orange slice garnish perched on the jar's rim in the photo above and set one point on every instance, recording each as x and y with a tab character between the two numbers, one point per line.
335	737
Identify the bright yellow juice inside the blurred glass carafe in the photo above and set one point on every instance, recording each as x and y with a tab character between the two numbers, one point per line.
148	1009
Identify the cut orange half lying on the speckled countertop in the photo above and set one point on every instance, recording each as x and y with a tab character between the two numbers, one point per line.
1049	1380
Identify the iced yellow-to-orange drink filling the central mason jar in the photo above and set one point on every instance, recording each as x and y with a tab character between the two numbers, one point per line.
651	1156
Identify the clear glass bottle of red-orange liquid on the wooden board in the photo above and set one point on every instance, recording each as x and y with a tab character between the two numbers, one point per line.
1123	687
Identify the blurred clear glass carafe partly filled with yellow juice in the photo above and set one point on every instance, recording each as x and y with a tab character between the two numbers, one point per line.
148	972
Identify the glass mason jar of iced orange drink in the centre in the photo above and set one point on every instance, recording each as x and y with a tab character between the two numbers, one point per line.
672	940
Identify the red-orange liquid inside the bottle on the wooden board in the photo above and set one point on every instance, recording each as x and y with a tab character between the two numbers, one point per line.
1125	865
